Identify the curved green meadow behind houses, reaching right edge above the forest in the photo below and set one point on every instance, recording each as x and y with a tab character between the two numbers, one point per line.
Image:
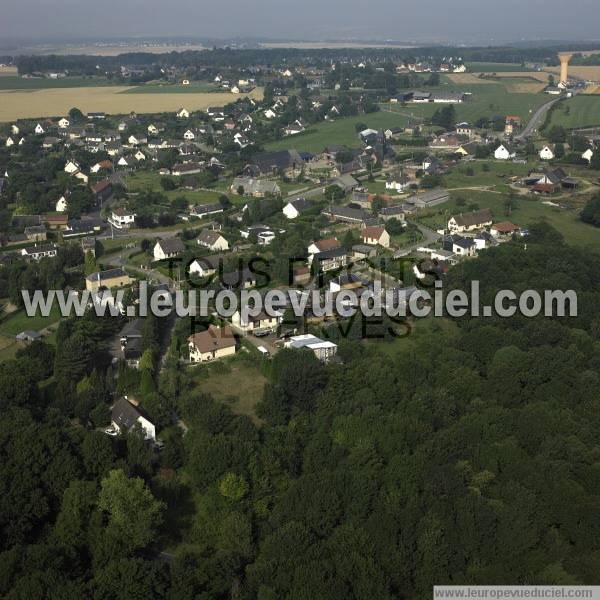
528	210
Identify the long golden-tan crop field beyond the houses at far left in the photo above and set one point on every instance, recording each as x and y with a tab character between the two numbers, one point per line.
54	102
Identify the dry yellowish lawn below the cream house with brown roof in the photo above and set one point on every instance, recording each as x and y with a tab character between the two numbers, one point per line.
236	380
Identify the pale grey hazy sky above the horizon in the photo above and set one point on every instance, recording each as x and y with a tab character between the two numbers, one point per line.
450	20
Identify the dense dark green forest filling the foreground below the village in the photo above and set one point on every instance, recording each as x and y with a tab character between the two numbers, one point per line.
464	453
